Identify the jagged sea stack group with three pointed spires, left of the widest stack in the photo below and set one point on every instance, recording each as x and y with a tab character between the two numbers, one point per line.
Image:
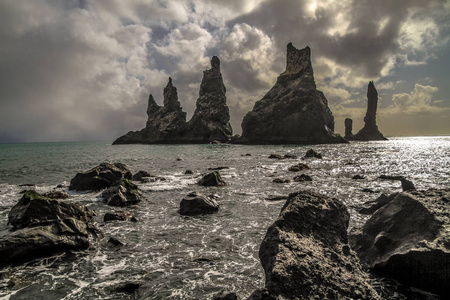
167	124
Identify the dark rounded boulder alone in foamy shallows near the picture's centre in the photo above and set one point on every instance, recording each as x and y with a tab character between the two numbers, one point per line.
197	204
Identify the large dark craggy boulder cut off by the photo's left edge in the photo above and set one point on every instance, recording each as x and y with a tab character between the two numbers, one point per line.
43	227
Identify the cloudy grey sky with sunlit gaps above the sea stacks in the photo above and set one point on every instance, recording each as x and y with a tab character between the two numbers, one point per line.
80	70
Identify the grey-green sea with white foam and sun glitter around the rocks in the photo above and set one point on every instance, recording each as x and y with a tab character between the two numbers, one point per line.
178	257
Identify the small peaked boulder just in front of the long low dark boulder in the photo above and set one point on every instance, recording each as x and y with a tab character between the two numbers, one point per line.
122	193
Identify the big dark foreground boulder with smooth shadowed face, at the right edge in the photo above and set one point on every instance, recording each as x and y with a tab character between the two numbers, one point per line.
408	239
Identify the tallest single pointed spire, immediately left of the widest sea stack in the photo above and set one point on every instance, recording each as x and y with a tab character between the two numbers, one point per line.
211	119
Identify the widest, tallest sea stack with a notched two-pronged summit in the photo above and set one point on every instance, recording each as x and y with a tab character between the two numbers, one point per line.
293	111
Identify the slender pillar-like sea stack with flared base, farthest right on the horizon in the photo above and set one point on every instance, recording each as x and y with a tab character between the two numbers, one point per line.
370	130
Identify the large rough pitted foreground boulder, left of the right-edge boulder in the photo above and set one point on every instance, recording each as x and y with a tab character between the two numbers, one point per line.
305	254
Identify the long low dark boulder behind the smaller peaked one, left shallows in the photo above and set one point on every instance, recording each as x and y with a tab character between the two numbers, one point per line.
100	177
